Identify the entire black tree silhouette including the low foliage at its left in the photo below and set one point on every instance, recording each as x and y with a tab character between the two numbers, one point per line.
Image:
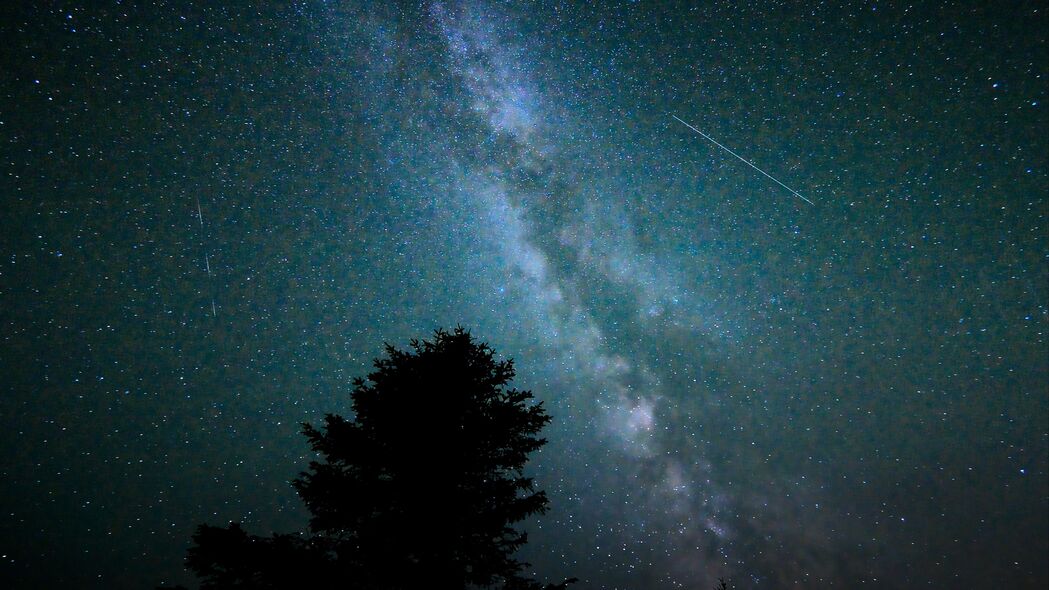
421	490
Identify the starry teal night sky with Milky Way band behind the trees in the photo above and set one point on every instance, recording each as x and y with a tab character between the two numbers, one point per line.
213	218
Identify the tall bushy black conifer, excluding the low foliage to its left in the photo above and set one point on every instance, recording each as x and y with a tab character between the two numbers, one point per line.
436	452
